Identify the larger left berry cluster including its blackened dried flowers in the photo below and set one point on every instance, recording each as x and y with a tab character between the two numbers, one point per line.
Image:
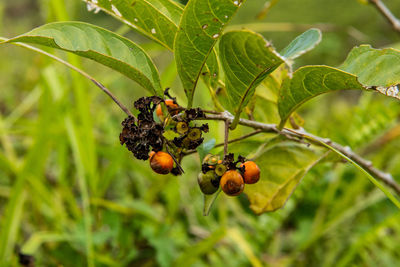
145	137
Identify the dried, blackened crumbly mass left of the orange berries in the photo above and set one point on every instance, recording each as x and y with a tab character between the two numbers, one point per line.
146	135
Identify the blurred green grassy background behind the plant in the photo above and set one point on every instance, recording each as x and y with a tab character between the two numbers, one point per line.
68	186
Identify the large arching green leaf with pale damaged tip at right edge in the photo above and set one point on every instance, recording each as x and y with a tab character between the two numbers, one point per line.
365	68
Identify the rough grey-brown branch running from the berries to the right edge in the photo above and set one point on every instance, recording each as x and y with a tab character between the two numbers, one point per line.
301	134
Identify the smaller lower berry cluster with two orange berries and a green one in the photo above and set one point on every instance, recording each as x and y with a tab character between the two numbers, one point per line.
225	173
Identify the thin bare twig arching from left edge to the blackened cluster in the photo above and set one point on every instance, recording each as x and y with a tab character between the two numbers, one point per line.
98	84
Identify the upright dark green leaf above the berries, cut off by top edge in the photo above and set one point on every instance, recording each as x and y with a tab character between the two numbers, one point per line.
200	27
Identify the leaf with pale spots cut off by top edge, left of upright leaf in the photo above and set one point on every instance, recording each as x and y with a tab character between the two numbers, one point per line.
163	25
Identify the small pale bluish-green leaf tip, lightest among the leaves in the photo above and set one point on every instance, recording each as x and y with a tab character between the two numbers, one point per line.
302	44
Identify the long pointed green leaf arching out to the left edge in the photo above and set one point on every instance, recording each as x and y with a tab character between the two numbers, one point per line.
100	45
